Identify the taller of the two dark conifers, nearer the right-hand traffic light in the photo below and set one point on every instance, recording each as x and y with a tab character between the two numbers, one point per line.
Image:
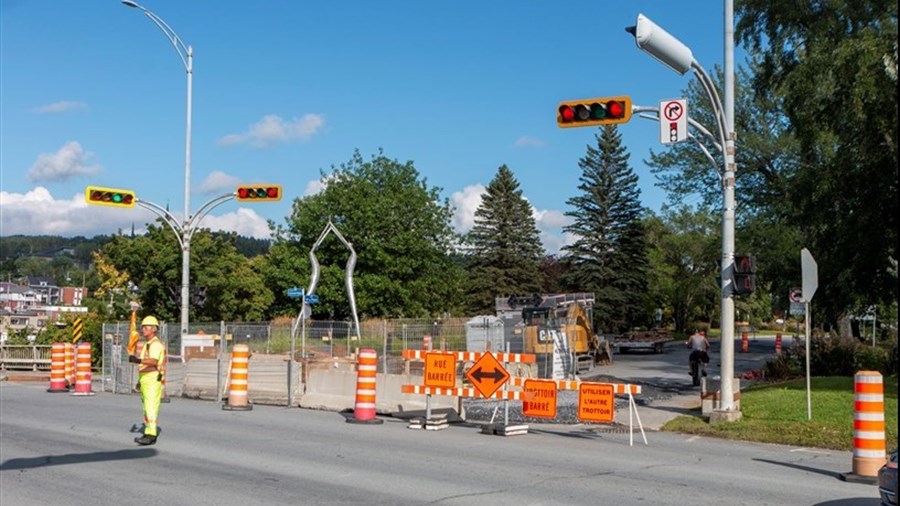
609	256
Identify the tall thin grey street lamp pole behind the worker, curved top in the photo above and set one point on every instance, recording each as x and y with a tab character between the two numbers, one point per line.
186	53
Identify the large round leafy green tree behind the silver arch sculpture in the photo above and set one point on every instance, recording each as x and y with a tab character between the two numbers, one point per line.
399	228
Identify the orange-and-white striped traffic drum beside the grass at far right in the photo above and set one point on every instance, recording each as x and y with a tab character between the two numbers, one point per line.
868	427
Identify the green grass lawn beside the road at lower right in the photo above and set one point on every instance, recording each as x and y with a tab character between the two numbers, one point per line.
776	413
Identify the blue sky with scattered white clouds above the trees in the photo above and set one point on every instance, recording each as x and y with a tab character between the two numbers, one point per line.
92	92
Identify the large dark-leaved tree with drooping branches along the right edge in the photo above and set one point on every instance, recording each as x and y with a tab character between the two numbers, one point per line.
834	65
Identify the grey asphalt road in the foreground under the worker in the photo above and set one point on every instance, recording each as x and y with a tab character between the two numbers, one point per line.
64	449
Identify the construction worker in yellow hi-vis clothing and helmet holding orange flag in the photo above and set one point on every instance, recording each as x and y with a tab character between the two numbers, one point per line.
150	378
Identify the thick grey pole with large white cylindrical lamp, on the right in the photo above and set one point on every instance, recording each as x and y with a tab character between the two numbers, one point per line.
674	54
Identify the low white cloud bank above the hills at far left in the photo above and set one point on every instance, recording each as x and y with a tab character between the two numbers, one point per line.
37	212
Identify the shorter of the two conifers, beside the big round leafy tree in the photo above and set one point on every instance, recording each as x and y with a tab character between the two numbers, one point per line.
505	248
